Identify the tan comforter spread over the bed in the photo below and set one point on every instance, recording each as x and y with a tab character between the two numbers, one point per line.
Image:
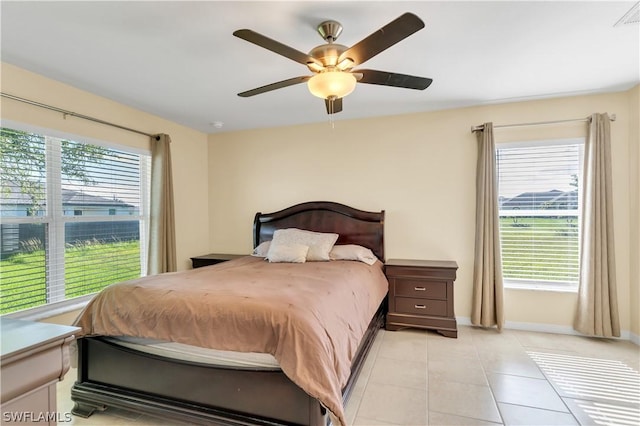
310	316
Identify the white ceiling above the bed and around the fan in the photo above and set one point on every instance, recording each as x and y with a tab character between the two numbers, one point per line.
179	60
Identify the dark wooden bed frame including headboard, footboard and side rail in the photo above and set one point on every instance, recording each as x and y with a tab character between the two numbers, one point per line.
110	375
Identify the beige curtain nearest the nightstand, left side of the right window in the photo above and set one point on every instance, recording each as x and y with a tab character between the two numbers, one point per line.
488	298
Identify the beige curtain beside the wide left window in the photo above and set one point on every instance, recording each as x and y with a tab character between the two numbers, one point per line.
162	238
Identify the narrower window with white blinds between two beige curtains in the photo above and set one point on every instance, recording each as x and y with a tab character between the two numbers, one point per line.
539	198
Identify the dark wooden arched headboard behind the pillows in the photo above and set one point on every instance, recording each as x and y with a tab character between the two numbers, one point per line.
354	226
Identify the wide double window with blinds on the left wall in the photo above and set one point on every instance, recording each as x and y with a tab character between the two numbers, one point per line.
73	218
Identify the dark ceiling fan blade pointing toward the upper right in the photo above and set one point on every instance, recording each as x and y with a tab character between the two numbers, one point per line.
384	38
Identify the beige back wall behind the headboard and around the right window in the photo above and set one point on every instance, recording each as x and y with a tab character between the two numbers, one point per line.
420	169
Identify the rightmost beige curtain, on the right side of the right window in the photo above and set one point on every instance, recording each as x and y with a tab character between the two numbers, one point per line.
597	313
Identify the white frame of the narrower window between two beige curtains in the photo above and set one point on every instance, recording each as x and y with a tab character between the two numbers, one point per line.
540	284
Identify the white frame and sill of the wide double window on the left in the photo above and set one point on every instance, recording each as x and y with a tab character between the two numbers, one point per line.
56	221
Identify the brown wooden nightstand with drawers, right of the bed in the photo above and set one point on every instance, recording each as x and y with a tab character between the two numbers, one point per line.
421	295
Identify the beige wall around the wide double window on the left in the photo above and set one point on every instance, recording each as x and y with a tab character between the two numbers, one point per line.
189	147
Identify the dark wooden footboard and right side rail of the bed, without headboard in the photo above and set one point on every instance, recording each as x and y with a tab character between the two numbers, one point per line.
111	375
